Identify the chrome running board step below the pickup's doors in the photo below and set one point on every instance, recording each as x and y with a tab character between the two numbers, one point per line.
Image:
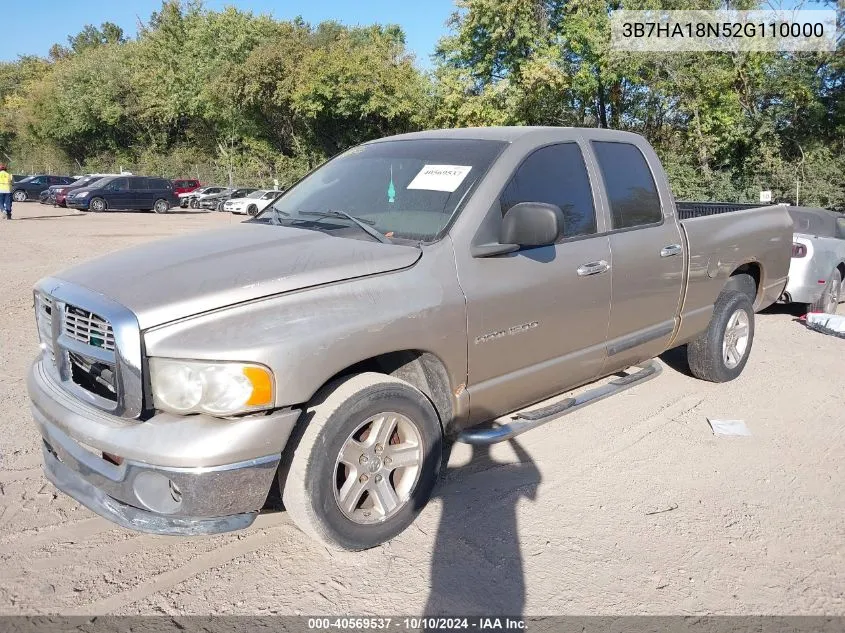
518	423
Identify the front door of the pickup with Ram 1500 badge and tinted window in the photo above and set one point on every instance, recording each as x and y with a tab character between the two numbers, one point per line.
536	325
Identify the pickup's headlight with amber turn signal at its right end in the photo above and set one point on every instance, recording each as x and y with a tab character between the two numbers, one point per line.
217	388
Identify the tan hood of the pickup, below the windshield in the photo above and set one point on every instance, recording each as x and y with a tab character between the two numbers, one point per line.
179	277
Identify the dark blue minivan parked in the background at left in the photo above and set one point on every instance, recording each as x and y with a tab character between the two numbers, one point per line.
125	192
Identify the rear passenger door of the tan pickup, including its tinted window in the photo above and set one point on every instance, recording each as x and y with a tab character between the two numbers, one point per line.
648	256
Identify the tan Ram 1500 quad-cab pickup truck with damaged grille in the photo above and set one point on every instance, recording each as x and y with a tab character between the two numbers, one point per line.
441	286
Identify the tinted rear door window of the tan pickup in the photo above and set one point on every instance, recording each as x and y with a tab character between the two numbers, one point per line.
630	186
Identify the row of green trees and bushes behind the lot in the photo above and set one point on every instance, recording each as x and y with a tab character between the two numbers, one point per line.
232	96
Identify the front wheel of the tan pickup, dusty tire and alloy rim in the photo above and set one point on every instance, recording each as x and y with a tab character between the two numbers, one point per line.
340	419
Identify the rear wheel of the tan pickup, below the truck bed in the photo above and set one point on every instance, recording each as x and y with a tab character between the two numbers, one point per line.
731	327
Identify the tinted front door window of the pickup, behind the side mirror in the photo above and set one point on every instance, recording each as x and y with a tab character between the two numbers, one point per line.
555	175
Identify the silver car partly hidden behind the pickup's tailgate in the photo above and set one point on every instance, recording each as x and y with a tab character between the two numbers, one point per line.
818	259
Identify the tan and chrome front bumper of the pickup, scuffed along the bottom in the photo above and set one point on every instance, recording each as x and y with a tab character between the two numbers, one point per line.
160	499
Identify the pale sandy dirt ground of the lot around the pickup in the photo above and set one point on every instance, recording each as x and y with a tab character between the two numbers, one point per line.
631	506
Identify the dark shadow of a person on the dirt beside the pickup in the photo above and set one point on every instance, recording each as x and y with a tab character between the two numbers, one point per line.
476	565
